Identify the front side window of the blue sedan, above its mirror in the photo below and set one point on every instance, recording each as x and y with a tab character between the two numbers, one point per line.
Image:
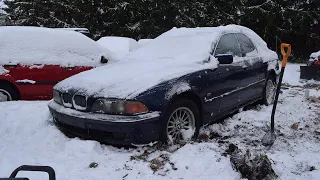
228	44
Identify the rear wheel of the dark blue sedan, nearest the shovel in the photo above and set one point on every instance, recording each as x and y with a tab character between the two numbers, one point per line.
267	92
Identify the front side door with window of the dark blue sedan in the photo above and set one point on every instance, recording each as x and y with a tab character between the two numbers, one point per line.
226	79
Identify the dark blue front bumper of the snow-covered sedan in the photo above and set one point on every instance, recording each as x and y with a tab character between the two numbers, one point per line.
110	129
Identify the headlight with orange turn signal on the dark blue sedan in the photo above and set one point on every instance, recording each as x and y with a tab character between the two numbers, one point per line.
118	107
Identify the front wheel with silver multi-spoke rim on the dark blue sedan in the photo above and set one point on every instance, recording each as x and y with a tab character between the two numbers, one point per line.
177	108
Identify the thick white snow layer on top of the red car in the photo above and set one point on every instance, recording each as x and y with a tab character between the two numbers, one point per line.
38	45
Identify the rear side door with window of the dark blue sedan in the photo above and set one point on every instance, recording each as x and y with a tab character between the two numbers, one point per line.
254	68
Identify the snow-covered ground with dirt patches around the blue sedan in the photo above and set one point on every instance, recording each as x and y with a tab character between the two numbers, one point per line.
28	136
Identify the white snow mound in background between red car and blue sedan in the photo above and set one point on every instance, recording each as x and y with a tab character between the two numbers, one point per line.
120	45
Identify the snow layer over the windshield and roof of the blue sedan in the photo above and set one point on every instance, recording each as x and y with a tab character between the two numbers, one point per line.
194	43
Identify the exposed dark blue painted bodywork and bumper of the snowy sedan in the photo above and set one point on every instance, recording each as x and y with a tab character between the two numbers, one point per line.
216	92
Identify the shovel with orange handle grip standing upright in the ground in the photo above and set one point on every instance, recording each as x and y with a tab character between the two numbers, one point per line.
269	138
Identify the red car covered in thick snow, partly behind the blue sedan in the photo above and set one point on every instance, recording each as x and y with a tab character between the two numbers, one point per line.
34	59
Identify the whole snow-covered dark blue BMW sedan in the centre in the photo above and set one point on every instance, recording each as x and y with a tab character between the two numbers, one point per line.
166	90
